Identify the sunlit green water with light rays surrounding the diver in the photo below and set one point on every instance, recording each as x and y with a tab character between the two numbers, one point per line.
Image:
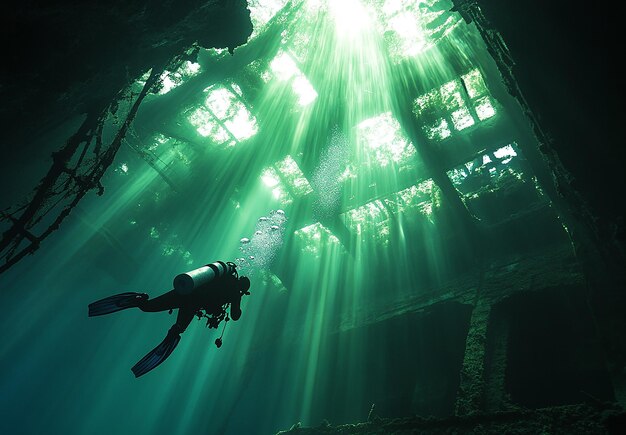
329	114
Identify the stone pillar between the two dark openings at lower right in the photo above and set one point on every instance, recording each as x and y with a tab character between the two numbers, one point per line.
471	389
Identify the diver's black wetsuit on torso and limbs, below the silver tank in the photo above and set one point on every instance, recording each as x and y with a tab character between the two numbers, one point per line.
209	297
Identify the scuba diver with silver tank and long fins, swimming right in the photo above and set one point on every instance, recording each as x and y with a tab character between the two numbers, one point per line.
205	292
